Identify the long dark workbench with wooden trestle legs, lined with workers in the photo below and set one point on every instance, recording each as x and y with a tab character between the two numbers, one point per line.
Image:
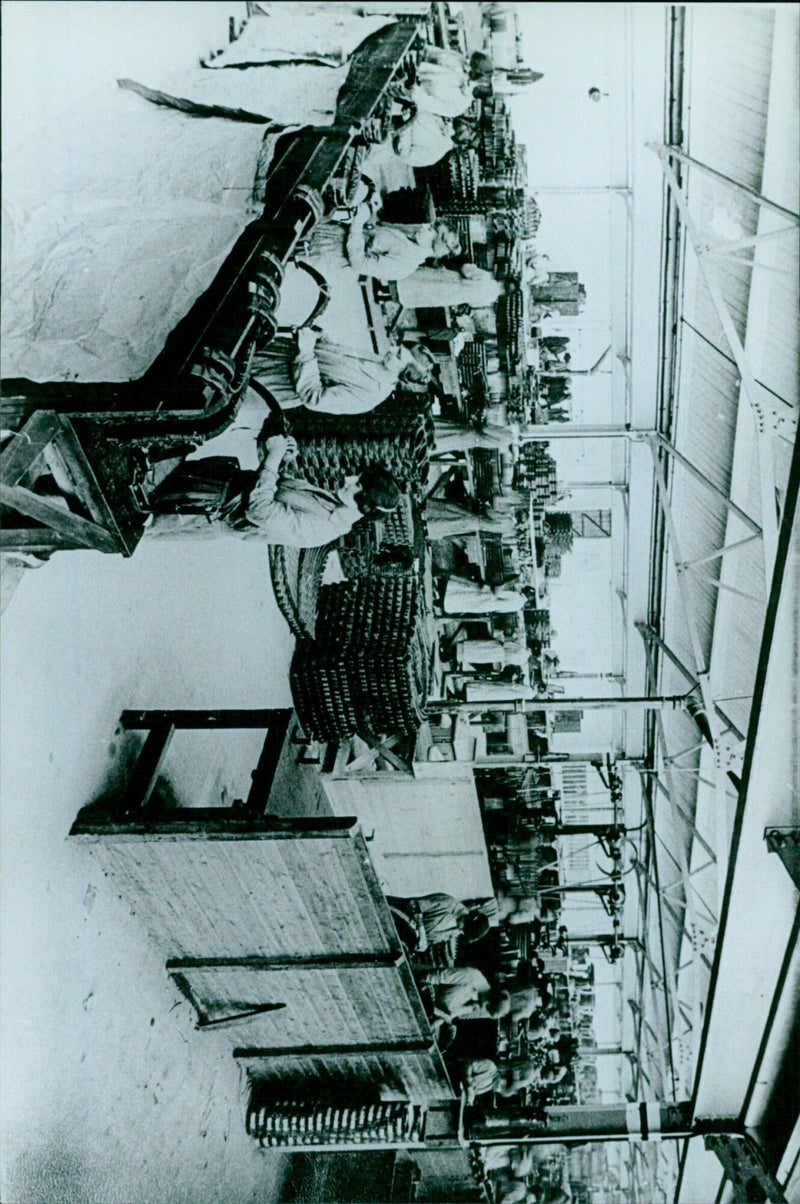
98	434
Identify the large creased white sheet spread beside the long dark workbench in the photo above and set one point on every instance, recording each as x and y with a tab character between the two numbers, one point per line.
115	223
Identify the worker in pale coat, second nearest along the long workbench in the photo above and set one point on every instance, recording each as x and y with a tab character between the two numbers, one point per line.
331	379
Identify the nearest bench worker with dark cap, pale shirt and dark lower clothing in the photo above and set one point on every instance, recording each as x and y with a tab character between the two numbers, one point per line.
267	504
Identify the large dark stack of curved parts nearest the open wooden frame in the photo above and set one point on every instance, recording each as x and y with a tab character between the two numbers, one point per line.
372	676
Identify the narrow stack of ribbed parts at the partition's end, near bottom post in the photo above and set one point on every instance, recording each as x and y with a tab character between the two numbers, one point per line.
313	1123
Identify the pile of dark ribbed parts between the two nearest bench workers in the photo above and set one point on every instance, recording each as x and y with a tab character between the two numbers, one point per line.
397	436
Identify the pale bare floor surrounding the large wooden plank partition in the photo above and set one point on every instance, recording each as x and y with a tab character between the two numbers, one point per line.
109	1094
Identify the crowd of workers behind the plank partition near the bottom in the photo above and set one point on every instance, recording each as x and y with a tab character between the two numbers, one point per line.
472	982
